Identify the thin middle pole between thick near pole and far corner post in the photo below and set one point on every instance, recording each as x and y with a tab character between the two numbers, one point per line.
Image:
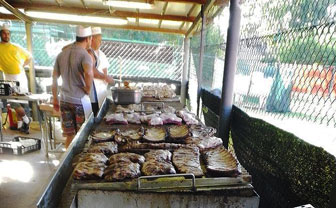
200	73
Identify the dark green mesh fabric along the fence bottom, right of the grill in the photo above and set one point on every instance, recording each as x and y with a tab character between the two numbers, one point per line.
286	171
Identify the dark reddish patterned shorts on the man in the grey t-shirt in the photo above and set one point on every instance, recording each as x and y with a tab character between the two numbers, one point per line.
72	118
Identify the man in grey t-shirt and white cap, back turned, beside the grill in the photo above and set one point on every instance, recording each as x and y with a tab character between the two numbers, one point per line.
74	65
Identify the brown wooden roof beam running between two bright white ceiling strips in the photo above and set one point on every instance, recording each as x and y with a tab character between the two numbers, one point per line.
101	12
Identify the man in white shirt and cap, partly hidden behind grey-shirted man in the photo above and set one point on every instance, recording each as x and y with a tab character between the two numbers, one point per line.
100	65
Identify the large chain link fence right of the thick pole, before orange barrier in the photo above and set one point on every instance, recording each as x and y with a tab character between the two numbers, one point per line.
286	62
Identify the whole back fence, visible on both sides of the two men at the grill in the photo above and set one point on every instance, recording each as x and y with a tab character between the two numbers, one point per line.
136	58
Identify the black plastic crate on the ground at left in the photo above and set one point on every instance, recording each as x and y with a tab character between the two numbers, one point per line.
15	149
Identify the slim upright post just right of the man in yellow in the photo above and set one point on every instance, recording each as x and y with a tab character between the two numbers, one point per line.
32	85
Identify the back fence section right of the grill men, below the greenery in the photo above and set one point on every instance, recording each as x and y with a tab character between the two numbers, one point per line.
143	61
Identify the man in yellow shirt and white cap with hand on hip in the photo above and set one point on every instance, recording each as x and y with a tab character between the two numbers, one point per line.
12	60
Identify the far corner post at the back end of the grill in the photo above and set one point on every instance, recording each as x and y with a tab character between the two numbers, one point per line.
185	71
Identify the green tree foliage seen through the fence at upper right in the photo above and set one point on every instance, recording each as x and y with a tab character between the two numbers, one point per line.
303	31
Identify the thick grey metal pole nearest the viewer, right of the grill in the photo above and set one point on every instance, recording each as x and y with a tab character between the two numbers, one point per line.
229	72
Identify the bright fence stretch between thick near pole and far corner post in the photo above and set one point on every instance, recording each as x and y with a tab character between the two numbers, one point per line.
213	57
